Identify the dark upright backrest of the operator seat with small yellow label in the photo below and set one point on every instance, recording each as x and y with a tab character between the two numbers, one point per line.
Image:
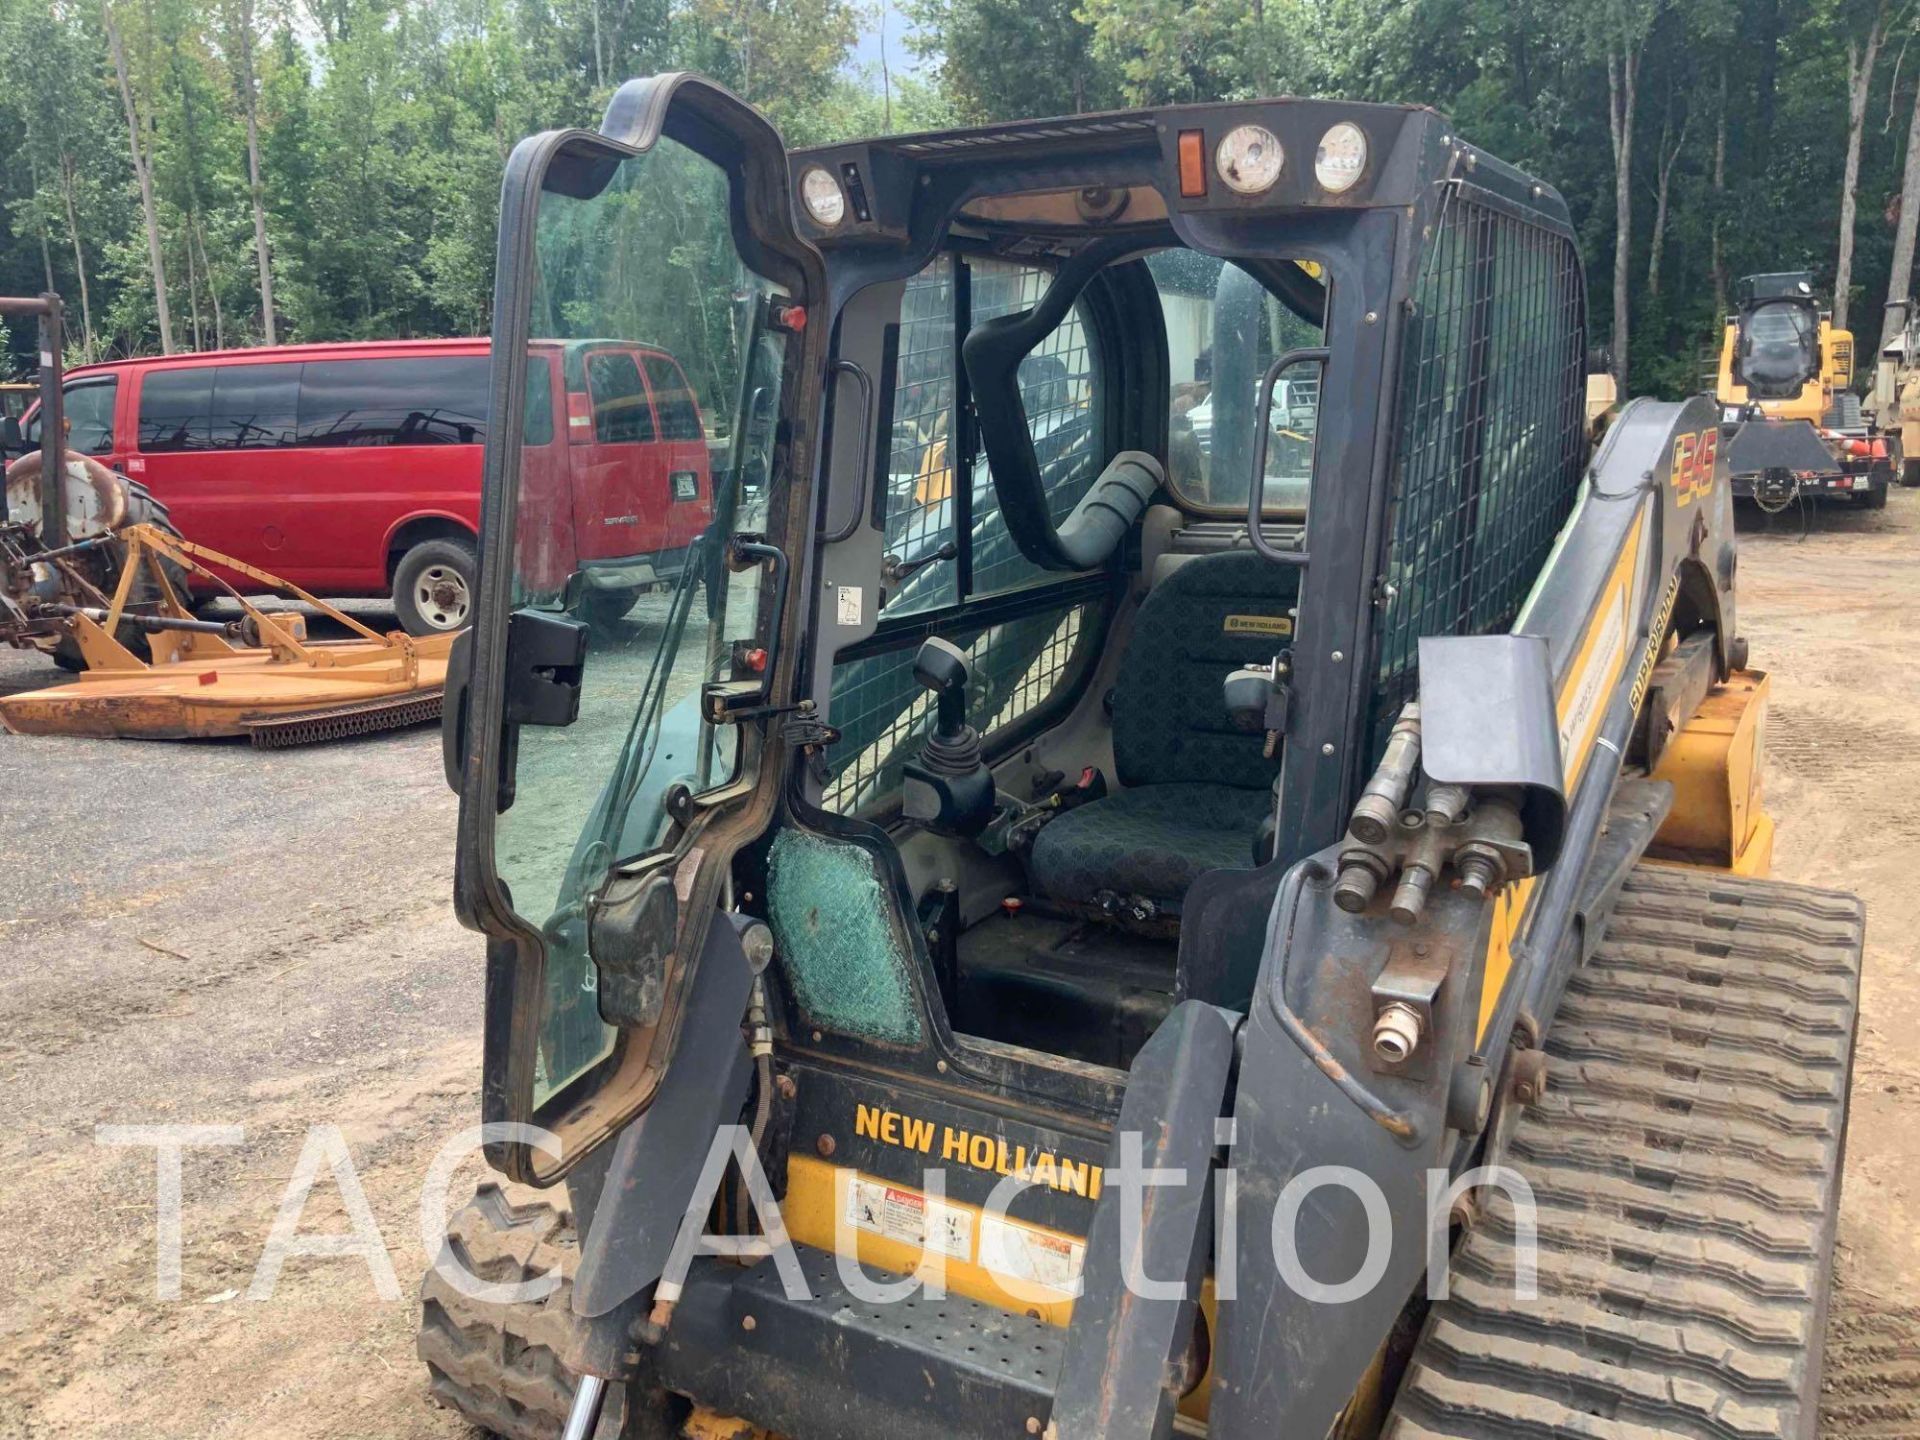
1207	617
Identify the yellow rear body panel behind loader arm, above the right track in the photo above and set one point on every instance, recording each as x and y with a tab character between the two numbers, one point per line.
1717	769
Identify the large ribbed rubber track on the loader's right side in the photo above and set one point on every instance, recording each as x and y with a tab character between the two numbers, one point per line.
1687	1178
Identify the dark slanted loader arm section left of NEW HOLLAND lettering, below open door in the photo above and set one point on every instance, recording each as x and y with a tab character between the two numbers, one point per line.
658	1161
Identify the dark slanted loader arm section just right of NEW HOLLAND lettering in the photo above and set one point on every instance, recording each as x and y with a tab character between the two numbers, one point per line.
1122	1376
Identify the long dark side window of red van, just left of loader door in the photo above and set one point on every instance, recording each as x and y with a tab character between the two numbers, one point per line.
435	400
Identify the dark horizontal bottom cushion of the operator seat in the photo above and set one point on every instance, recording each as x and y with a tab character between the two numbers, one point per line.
1153	842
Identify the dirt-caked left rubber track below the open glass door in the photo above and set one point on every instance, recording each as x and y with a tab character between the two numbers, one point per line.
500	1364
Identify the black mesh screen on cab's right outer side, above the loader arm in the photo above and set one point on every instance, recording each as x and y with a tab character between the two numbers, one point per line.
1491	439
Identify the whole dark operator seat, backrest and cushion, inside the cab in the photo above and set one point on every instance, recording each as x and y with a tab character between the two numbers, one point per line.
1195	786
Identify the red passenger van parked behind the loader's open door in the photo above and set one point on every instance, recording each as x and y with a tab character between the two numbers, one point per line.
354	469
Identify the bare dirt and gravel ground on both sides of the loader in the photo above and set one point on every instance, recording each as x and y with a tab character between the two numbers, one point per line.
222	936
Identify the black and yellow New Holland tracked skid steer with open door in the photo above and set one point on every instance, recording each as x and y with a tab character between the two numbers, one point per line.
1247	934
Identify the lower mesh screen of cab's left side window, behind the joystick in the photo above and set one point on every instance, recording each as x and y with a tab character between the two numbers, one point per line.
884	713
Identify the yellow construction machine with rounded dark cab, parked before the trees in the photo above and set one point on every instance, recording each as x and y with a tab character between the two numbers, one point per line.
1810	437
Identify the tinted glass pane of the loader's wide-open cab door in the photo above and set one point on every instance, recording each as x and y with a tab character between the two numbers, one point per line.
646	266
